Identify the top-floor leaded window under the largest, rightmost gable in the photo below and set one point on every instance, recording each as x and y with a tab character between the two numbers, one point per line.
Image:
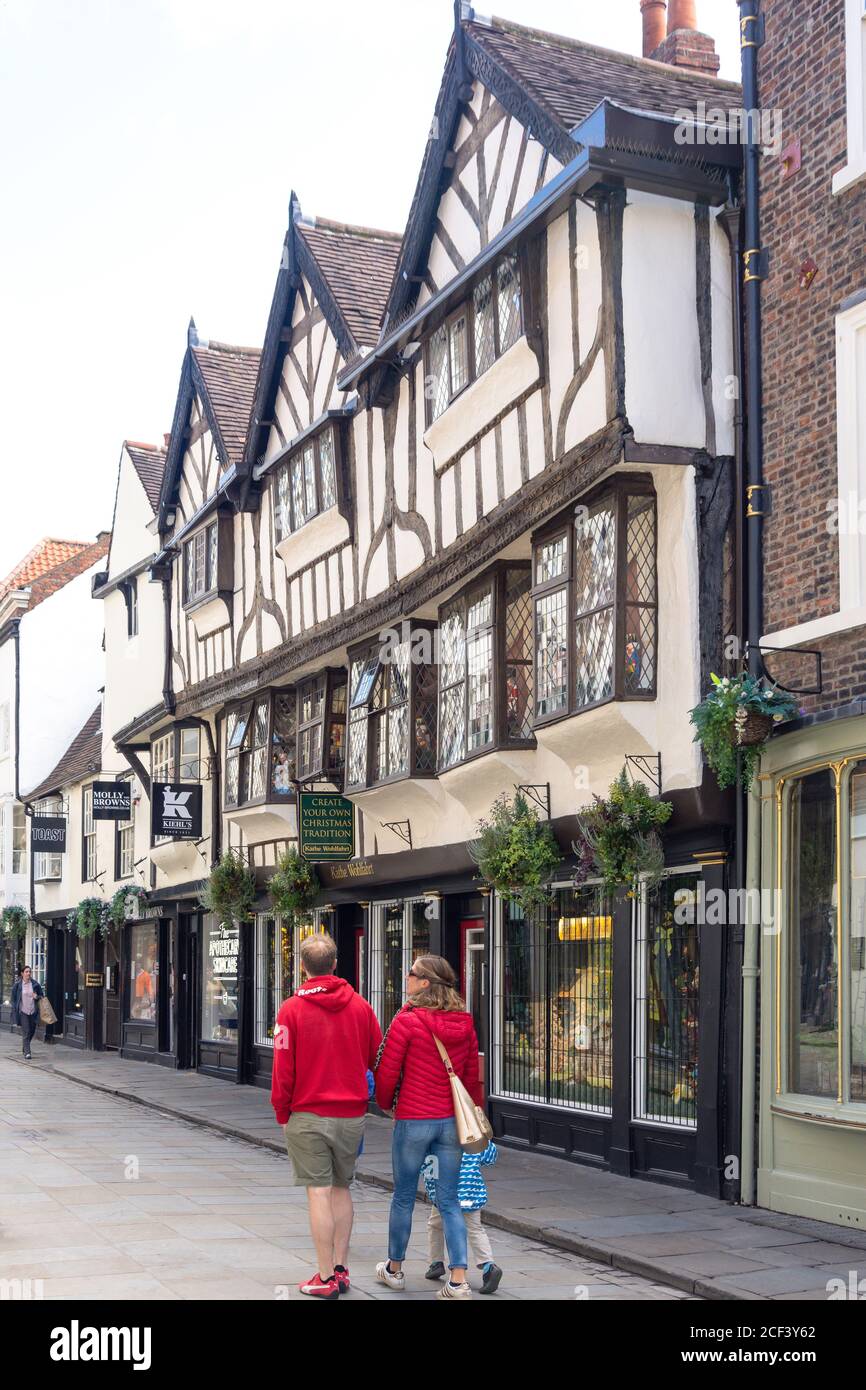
473	337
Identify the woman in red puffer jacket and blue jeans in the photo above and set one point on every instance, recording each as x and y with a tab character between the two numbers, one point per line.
412	1074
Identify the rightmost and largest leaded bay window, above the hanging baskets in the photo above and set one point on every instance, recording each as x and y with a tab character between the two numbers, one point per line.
594	594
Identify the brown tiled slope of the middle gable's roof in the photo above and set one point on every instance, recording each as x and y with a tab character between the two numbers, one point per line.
358	263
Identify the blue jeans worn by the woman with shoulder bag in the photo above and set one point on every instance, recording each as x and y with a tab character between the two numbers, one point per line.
414	1140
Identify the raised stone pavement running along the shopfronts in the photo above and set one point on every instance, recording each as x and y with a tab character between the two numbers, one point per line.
693	1243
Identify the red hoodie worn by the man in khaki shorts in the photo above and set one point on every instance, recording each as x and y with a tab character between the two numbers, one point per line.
325	1045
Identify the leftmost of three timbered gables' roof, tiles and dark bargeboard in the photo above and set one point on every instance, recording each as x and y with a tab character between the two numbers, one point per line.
224	376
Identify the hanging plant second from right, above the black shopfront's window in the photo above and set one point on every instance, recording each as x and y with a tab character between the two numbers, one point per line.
619	837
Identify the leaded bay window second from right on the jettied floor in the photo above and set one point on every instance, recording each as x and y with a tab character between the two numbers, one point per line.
486	667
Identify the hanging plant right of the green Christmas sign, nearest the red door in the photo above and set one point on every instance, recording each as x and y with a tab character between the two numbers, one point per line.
516	853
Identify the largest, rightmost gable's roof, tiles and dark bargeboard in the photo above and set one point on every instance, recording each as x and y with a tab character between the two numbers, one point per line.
550	84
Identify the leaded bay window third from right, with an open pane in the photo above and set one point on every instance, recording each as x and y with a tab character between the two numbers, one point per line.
393	708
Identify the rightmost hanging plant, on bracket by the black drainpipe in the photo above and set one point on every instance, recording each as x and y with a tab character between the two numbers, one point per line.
729	721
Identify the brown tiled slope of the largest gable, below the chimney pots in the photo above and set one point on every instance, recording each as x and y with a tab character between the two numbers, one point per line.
569	79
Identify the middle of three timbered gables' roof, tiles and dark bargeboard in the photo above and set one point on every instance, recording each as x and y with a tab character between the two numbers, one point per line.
350	270
